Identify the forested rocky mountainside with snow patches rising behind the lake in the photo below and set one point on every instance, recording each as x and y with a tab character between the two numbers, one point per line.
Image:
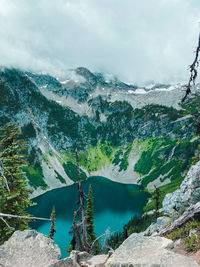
127	133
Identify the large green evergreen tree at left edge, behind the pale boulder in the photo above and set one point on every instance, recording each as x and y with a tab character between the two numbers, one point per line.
14	195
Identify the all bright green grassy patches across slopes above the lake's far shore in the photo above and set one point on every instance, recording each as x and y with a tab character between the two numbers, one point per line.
152	163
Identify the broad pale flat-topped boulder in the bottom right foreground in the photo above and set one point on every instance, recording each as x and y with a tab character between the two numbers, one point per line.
139	250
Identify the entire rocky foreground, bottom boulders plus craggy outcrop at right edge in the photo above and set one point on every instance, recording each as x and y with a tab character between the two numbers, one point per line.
32	249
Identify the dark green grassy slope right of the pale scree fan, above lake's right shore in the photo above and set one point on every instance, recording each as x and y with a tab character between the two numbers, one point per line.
156	162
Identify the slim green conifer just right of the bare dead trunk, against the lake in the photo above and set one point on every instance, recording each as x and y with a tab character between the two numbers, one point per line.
90	222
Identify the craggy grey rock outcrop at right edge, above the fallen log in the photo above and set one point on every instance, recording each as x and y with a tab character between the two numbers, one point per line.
174	204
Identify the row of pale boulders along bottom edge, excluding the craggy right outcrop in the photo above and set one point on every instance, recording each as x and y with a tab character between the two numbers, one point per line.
32	249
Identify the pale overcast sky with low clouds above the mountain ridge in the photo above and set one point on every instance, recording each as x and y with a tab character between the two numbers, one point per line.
137	40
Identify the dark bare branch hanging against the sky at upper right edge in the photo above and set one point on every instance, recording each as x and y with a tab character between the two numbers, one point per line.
193	72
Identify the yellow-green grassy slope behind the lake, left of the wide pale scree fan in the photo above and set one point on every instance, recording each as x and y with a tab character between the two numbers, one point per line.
92	159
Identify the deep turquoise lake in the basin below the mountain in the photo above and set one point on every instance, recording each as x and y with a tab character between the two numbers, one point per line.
114	205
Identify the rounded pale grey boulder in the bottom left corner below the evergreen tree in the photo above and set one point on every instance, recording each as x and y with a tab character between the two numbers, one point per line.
29	249
